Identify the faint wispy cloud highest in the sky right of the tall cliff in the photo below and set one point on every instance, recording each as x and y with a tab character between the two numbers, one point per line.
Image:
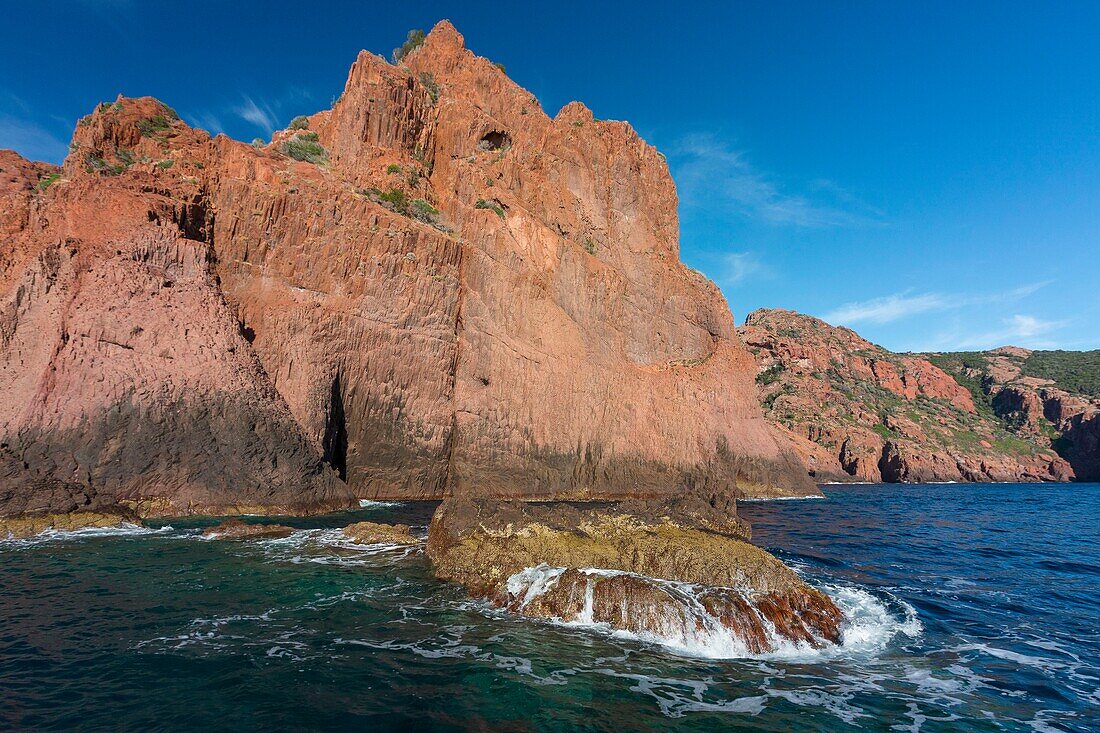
710	172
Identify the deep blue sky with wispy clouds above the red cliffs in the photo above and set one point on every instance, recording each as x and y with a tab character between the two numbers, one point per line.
928	174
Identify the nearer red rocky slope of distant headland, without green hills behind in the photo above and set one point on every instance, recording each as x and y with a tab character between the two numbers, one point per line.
854	411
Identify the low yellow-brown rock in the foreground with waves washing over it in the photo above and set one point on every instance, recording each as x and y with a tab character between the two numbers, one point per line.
664	575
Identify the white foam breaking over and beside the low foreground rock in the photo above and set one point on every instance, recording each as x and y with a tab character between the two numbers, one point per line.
867	628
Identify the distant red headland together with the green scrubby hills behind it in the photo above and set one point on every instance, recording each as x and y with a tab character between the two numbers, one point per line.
857	412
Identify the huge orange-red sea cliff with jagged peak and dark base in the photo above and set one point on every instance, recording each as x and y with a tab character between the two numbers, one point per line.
436	289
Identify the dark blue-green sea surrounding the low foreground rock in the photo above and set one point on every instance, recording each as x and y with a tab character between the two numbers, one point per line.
977	609
